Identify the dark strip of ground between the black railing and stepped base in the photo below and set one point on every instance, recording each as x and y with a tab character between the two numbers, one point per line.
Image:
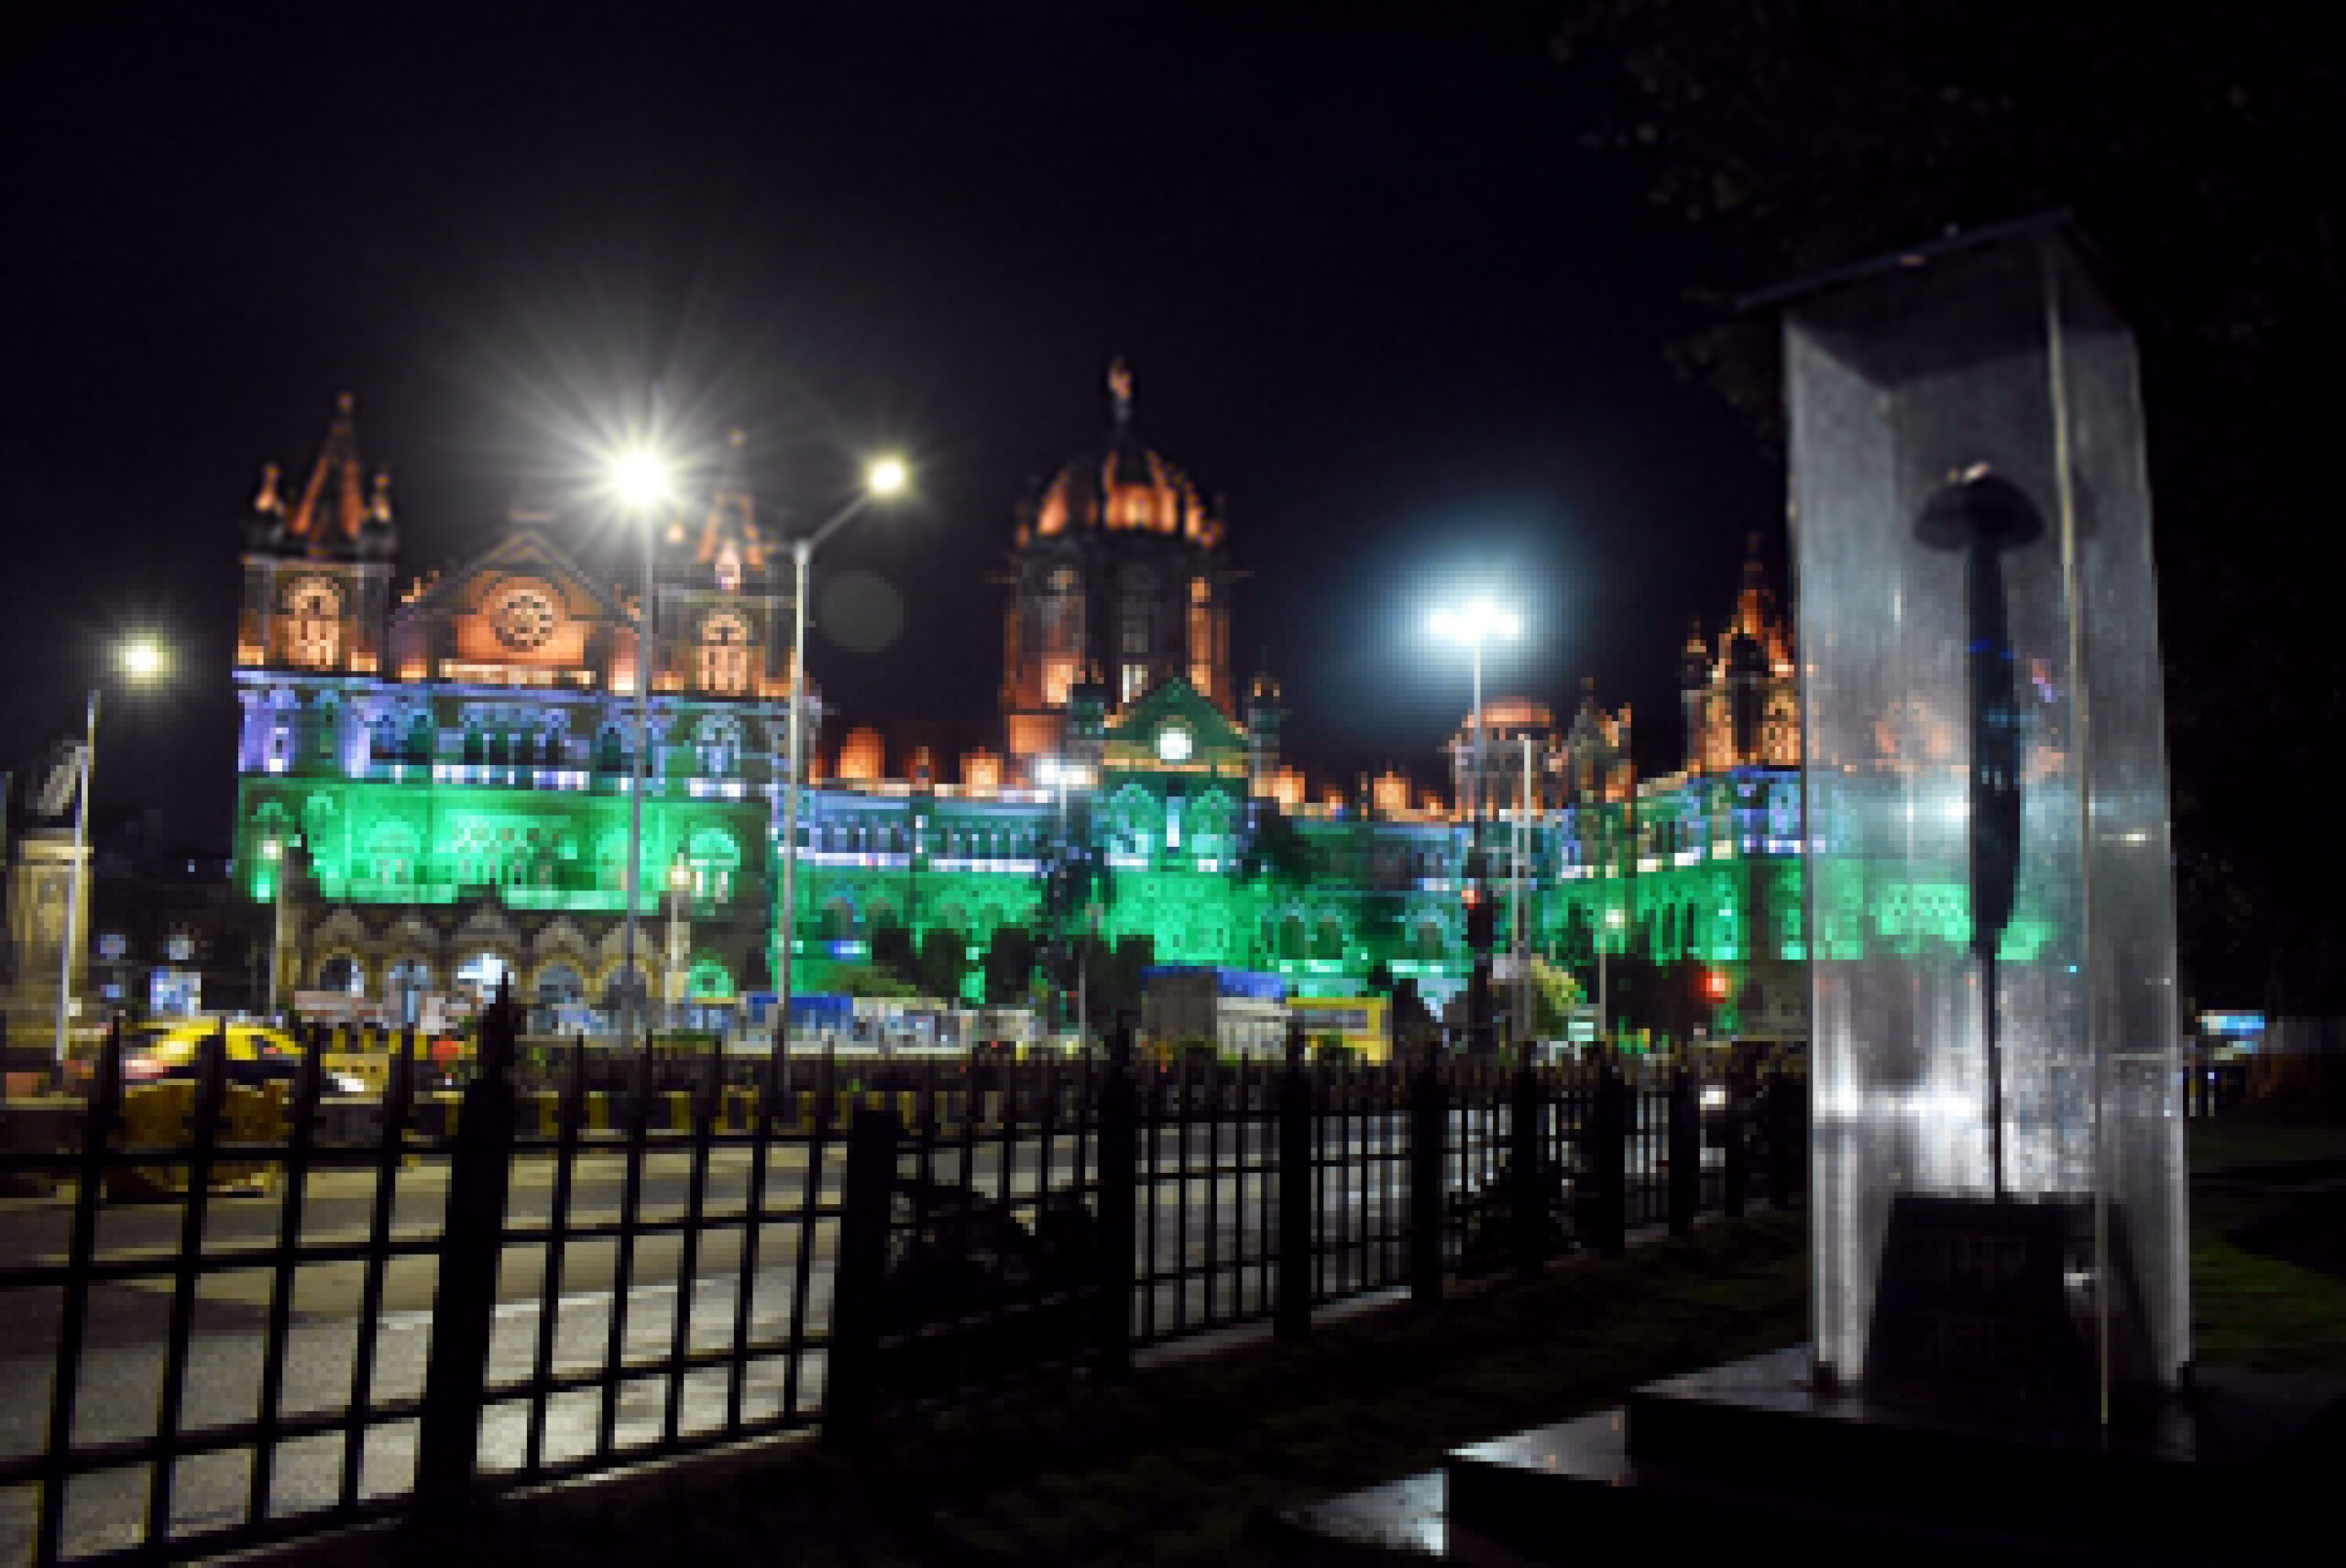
1200	1452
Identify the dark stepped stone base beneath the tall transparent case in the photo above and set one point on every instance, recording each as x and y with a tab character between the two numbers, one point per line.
1754	1461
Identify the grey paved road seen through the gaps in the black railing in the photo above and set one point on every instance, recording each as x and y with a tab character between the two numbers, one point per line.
128	1323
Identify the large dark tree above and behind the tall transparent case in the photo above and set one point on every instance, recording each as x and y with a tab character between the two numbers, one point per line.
2199	147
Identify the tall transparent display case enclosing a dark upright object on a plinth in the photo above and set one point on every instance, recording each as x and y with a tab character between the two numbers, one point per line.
1998	1123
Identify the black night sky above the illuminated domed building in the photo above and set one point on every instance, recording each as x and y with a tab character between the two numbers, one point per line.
1371	288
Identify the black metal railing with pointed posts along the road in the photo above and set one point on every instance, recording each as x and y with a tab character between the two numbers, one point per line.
250	1309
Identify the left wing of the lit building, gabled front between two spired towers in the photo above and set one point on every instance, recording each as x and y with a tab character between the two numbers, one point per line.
433	788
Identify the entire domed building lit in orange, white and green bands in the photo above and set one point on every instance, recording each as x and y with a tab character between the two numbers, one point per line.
440	780
